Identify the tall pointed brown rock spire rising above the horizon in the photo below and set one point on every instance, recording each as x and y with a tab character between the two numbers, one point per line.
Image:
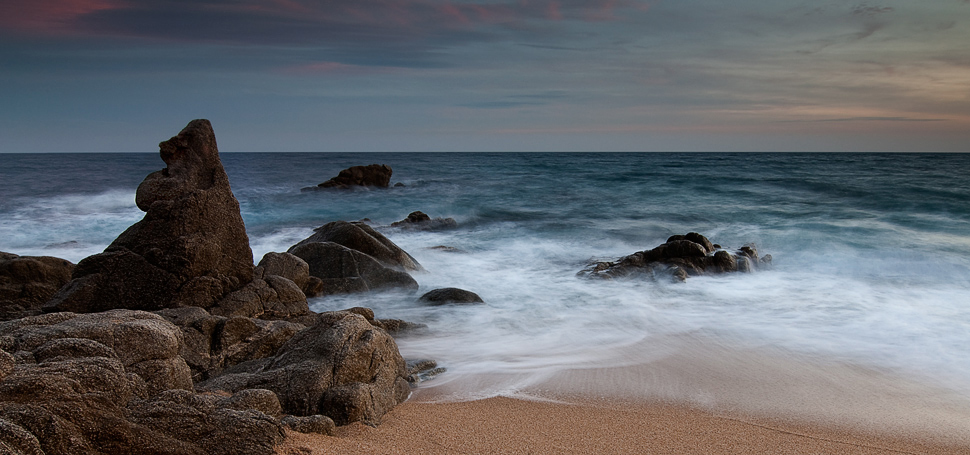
191	249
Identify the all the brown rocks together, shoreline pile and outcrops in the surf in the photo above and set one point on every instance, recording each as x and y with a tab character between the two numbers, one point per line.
172	341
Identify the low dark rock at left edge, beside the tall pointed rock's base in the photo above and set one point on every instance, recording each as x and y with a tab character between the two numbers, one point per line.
27	282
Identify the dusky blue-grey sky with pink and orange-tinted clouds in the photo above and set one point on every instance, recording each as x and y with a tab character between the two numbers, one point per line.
487	75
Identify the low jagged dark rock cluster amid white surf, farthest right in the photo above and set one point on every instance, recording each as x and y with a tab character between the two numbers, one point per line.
680	257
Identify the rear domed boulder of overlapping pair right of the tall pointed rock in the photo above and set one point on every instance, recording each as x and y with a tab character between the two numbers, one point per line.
361	237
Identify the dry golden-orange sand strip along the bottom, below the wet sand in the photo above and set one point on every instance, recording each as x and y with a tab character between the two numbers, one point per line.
507	425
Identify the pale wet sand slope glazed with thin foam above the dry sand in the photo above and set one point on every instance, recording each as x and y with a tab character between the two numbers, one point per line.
761	384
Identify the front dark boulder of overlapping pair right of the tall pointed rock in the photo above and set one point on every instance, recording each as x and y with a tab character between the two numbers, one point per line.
343	270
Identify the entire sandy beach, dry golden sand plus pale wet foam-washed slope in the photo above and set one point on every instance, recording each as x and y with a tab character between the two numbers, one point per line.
756	401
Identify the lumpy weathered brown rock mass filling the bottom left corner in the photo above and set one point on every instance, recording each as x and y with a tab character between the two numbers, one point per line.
114	382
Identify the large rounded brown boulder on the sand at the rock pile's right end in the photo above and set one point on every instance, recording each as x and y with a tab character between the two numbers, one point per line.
343	368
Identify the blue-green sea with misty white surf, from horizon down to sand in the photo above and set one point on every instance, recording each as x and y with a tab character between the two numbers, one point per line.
869	288
